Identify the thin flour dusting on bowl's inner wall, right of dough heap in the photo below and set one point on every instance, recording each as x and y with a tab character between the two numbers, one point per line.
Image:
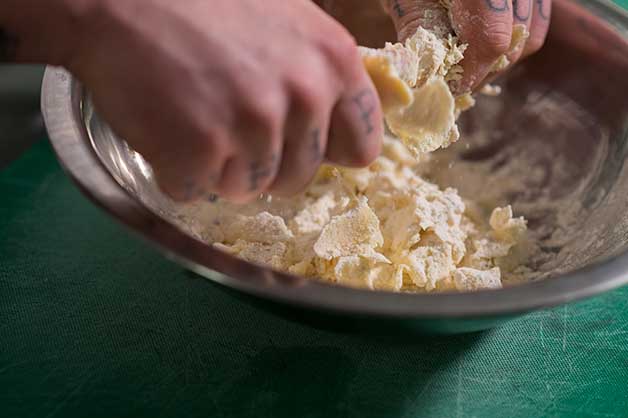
534	174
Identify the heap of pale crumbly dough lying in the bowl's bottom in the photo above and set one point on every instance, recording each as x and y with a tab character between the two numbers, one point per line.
381	227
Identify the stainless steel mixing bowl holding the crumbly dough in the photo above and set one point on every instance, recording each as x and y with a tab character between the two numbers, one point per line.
582	73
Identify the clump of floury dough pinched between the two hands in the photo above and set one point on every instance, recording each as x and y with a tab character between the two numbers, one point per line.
411	79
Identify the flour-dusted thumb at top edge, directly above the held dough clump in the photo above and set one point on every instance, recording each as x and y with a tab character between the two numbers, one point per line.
408	15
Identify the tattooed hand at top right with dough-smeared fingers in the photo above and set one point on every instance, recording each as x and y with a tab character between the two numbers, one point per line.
485	25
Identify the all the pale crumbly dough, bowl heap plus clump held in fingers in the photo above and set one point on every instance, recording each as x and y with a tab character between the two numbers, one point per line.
383	227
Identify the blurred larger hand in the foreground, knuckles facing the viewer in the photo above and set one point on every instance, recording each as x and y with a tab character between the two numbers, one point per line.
230	97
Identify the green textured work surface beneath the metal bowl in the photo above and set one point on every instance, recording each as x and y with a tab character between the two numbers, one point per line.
95	323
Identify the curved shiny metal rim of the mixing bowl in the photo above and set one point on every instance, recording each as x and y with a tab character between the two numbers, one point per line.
61	101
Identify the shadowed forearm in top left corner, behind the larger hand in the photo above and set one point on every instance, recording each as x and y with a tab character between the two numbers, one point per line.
42	31
